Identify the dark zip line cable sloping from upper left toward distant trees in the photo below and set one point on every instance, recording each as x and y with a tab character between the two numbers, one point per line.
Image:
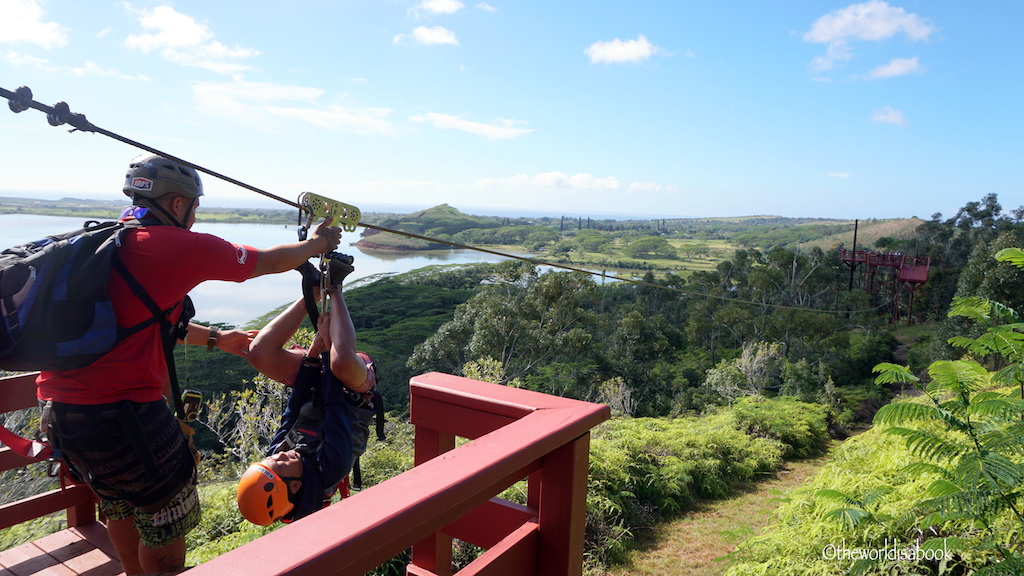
60	114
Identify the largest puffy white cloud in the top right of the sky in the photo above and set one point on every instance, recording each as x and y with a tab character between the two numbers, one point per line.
868	22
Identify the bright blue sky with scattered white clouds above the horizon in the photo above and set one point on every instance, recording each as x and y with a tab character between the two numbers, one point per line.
670	109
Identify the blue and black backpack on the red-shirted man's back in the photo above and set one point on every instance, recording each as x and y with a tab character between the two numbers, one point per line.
57	314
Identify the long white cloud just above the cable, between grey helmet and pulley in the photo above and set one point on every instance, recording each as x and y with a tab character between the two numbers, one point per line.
249	102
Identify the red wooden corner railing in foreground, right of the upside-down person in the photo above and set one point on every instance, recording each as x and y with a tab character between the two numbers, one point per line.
452	493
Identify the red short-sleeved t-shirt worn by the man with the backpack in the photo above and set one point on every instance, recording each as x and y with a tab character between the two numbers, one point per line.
168	262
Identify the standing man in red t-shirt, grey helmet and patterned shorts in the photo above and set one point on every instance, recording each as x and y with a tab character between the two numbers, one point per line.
111	421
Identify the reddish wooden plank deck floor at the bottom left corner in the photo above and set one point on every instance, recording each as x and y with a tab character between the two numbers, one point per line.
84	551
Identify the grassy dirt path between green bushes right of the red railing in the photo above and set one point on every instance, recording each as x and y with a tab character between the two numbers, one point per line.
690	546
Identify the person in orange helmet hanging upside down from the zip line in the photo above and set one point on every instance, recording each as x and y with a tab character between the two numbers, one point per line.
326	423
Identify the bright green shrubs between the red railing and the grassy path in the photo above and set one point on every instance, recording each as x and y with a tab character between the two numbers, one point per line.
646	470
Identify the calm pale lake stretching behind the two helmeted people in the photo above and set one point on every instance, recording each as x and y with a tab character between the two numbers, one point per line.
239	304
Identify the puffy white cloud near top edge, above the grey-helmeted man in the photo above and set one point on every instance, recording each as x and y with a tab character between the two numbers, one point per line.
181	39
